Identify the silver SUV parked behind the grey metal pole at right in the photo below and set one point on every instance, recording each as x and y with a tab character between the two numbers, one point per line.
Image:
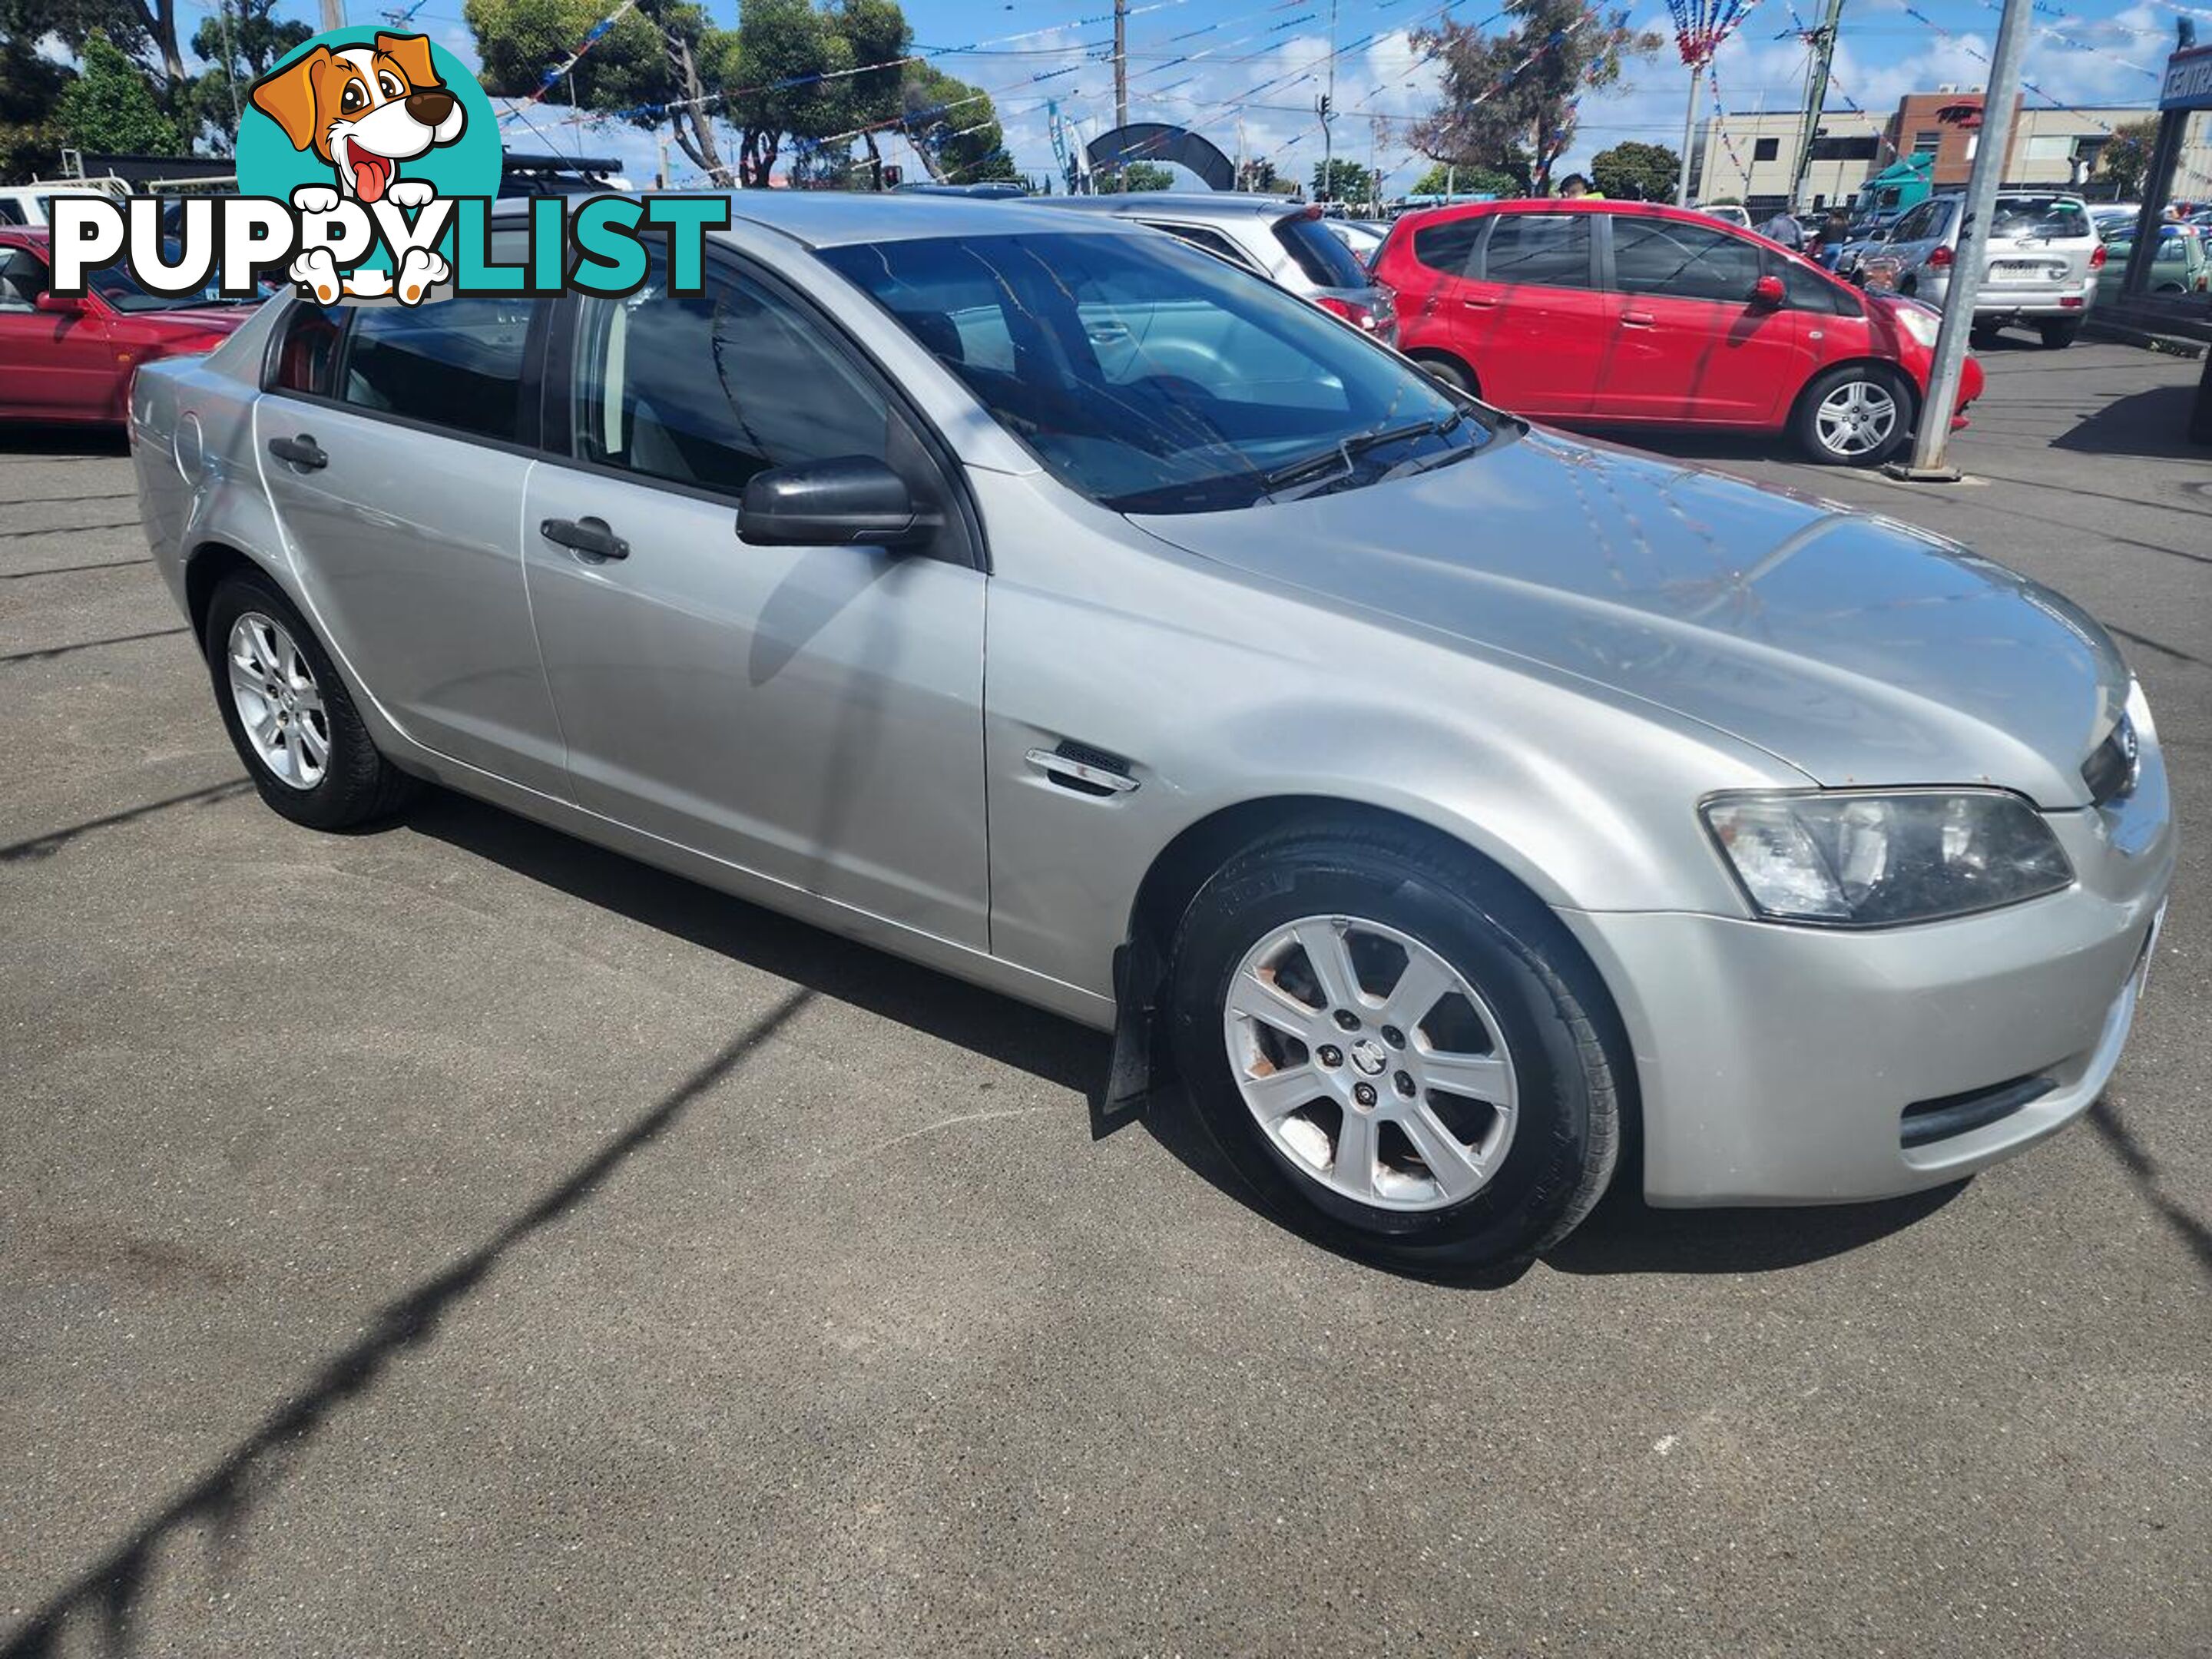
2043	262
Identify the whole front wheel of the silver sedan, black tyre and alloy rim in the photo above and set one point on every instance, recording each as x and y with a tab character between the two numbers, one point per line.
1397	1050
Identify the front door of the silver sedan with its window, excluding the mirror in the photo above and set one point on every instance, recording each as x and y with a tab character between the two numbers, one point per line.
806	713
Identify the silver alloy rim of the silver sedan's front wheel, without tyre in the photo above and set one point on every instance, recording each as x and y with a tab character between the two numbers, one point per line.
1370	1063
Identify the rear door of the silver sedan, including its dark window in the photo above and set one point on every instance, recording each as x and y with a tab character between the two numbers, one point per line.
395	444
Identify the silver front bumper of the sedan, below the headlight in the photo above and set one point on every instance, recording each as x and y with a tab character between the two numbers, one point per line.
1777	1063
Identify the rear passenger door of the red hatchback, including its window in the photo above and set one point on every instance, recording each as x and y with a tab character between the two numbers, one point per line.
1532	320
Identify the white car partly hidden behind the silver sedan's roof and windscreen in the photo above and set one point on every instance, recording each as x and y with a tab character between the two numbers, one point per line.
1284	242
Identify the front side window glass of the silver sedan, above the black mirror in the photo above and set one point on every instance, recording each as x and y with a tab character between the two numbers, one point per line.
718	388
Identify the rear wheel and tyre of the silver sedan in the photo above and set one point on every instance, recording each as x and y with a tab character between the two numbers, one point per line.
291	716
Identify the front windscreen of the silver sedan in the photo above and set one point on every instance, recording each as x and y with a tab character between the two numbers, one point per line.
1154	379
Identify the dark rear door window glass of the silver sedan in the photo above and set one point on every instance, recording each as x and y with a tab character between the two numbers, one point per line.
457	364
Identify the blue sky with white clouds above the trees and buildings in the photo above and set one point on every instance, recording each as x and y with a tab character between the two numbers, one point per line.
1246	72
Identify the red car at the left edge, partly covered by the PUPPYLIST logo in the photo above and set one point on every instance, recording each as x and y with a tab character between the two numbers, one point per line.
72	359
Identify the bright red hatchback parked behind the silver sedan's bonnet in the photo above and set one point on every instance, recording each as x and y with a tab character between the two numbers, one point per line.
1629	315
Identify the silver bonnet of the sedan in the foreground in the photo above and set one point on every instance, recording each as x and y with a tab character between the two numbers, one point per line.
1857	649
